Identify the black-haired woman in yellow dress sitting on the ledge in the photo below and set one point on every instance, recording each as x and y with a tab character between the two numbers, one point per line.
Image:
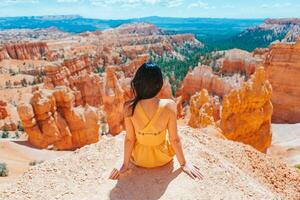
151	125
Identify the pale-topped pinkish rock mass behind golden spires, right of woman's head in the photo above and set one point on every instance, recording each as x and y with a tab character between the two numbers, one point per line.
202	77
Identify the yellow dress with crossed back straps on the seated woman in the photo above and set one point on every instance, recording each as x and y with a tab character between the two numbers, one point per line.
152	147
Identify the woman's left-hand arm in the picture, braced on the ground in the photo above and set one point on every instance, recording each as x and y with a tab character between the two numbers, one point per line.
128	147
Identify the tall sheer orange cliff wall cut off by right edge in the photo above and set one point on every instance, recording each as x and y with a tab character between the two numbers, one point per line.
283	70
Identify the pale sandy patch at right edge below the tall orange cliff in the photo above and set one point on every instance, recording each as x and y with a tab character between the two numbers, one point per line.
286	143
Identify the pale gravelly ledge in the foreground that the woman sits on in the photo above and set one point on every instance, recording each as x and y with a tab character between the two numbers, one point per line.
231	171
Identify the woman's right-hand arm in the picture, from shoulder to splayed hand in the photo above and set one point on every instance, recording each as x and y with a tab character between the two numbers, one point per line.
189	169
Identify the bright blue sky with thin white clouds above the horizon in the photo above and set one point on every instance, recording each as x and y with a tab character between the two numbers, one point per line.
120	9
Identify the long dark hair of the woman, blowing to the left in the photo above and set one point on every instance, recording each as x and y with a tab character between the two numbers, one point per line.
146	84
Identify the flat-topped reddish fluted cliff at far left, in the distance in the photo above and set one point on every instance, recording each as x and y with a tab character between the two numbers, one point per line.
26	51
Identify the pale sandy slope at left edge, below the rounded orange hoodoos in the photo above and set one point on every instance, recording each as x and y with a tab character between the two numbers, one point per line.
17	154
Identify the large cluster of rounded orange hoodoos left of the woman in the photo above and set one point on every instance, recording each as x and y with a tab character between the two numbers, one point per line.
51	118
